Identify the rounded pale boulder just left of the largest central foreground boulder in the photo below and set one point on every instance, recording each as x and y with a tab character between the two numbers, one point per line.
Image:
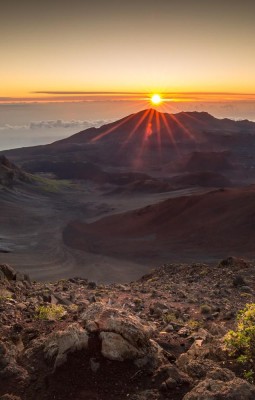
61	343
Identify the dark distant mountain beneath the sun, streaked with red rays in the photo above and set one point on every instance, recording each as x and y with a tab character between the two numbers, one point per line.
148	141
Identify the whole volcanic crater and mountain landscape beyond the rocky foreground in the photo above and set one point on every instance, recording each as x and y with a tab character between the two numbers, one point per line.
109	203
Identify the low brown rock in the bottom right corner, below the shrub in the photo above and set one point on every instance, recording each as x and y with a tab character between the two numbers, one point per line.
210	389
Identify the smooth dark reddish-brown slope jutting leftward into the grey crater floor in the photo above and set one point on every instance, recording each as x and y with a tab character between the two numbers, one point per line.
199	226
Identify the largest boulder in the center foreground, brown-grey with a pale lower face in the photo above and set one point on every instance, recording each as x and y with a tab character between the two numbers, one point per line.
124	336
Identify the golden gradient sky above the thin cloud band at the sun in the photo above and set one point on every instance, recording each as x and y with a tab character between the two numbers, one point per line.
118	46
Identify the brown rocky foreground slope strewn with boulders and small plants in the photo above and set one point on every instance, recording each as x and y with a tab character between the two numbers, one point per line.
156	338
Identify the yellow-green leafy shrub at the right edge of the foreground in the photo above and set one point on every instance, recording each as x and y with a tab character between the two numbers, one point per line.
240	343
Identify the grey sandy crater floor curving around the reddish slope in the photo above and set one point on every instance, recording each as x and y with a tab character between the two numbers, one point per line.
33	219
